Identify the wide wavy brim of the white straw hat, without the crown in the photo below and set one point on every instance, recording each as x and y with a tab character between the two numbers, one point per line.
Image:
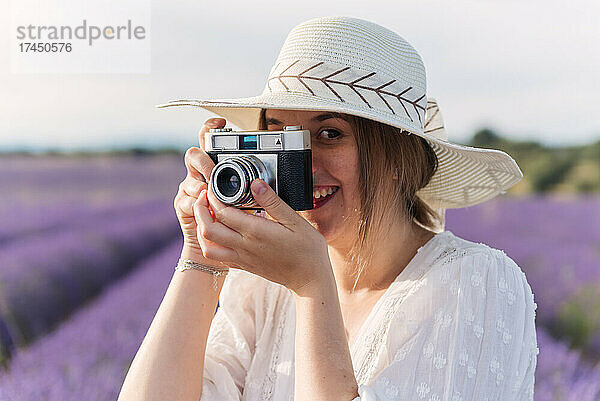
466	175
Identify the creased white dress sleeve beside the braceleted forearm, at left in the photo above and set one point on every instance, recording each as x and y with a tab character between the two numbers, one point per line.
232	336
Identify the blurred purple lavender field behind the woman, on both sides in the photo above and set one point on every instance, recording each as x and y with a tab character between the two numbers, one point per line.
88	245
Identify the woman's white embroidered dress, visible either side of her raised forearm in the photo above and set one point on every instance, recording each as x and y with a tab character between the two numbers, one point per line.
457	324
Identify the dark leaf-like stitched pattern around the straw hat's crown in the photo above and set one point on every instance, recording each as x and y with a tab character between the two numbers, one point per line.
352	85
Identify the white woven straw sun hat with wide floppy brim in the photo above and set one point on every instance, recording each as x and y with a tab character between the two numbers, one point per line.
357	67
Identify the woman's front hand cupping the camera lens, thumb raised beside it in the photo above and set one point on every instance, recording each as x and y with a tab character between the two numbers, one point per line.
286	250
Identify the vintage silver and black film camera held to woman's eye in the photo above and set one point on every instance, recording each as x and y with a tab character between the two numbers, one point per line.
283	159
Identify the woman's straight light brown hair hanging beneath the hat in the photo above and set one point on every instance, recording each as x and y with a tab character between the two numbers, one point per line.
393	165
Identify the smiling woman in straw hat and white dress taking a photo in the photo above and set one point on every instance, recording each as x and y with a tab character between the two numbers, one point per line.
364	297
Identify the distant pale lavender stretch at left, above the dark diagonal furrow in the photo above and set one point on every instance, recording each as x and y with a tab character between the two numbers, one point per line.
46	192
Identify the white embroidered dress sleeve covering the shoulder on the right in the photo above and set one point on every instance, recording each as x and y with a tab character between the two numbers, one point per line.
467	333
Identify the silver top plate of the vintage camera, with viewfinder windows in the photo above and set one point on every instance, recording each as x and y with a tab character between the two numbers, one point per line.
291	137
